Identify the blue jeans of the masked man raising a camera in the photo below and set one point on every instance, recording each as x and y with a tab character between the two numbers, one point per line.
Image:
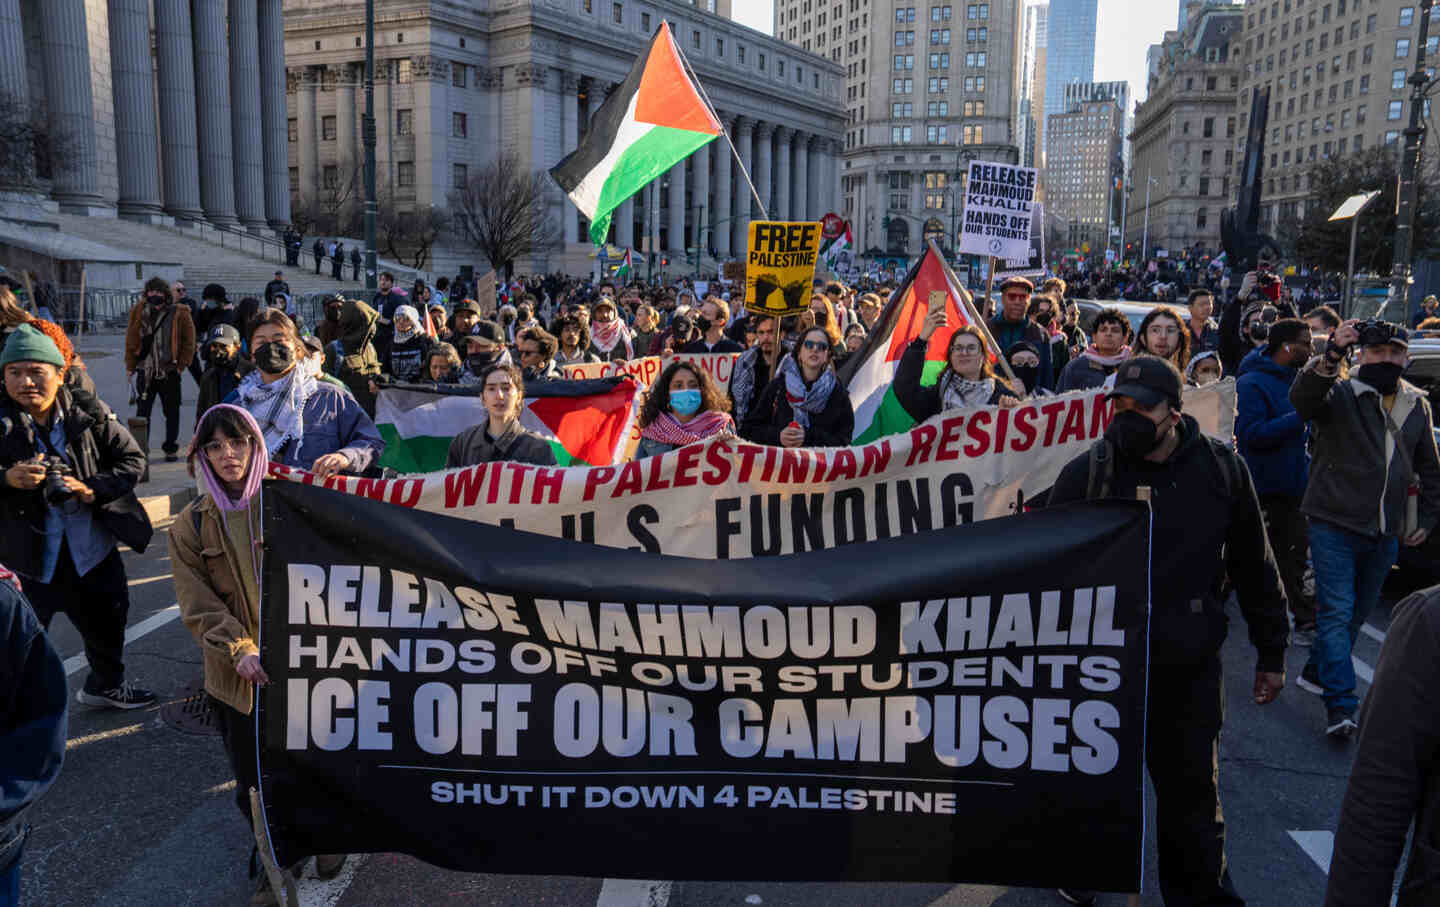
1350	569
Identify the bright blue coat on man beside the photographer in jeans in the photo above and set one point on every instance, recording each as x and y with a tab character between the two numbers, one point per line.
1268	430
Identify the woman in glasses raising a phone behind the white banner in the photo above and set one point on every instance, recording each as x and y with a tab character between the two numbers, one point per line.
968	379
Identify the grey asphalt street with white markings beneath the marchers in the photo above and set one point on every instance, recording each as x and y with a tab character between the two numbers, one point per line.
143	813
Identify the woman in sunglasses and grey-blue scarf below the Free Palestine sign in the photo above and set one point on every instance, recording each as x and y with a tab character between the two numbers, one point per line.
804	407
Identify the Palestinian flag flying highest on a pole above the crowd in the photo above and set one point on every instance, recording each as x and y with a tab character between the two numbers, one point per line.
653	122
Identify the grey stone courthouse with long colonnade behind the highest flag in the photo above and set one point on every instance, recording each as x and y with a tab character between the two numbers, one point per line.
460	83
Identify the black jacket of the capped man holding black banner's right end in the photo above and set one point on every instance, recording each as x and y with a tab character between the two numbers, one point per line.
1200	533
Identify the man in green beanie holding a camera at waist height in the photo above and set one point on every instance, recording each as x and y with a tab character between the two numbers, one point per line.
68	471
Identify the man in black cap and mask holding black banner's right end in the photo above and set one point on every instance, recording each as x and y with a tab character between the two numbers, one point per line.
1206	523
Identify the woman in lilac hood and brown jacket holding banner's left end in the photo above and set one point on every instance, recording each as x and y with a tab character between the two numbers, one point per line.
215	558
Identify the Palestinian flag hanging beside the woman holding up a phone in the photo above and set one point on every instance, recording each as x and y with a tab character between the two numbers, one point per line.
872	371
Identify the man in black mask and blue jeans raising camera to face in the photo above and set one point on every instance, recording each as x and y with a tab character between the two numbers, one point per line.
1370	441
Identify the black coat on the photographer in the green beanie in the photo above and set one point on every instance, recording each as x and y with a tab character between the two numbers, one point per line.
104	457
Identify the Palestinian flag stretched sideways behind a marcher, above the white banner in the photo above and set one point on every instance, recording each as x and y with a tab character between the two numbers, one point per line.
587	423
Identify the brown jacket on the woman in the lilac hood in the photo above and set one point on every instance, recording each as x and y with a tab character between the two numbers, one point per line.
212	601
